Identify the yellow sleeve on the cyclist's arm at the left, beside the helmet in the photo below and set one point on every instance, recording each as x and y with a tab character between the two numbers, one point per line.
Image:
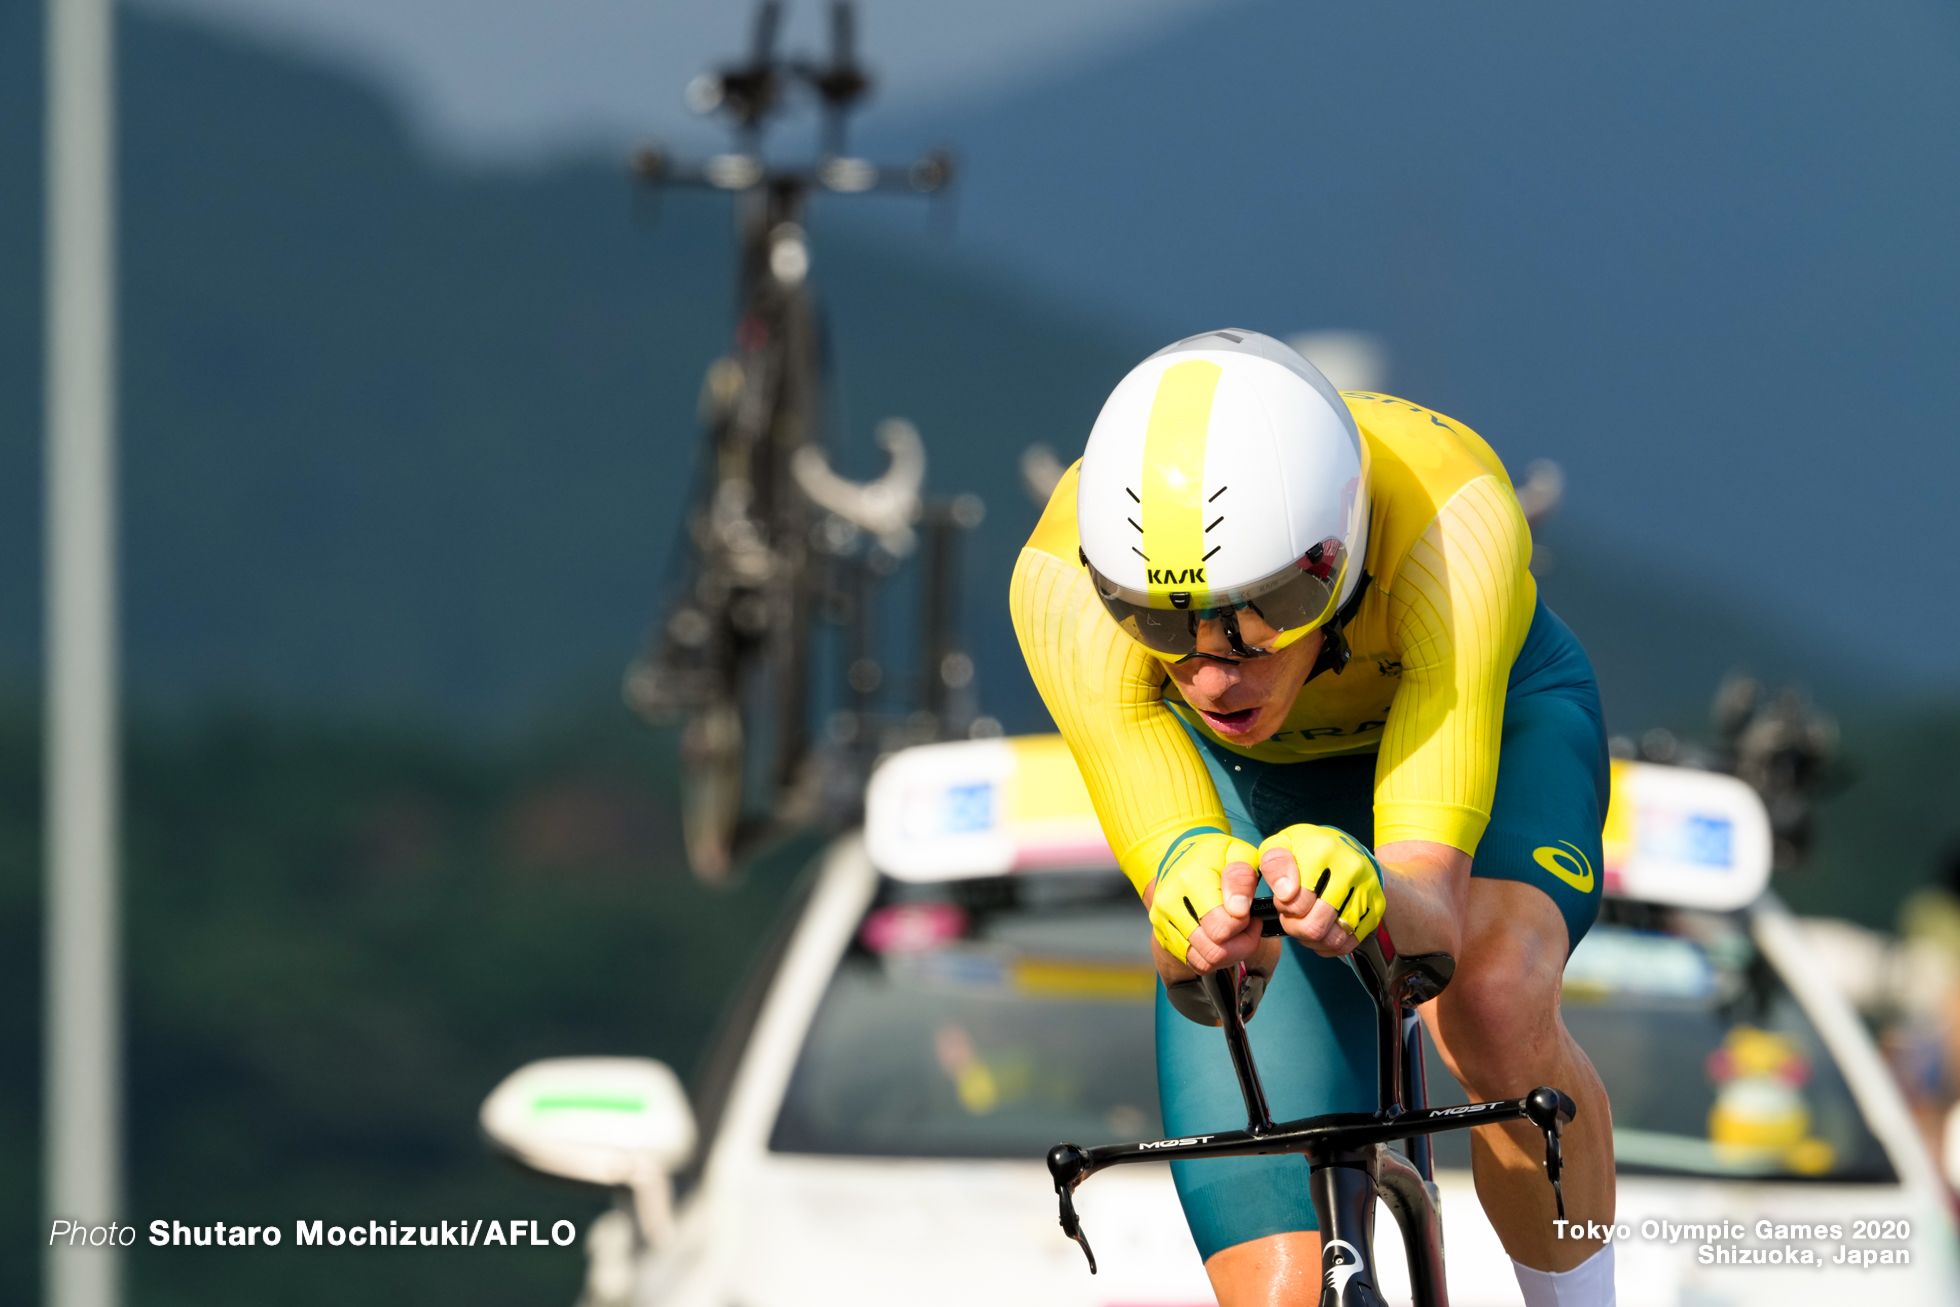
1106	695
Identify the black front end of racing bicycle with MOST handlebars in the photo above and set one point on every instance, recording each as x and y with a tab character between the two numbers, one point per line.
1347	1151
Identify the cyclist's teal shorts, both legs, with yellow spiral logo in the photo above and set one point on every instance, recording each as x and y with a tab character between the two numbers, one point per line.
1314	1036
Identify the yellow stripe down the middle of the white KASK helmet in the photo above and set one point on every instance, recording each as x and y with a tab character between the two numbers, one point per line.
1173	512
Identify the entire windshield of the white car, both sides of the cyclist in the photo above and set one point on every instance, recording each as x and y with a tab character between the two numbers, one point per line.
995	1018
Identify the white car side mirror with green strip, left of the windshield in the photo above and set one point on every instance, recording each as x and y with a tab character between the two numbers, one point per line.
611	1122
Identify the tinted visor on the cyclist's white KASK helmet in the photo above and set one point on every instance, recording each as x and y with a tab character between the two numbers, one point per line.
1293	603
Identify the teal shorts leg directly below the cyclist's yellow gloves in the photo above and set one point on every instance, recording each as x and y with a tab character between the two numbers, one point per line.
1314	1041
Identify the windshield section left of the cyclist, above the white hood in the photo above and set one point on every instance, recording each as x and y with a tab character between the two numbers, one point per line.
983	1020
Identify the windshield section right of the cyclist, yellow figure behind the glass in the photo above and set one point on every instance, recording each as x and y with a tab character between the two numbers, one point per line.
1708	1059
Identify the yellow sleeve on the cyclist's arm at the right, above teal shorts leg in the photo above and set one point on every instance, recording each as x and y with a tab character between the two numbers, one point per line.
1459	612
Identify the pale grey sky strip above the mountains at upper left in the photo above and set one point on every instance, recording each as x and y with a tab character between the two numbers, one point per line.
511	79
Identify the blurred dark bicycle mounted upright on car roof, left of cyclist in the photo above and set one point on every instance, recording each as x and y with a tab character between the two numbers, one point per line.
773	534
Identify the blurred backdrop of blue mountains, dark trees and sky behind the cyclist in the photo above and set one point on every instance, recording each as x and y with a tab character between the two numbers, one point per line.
411	375
